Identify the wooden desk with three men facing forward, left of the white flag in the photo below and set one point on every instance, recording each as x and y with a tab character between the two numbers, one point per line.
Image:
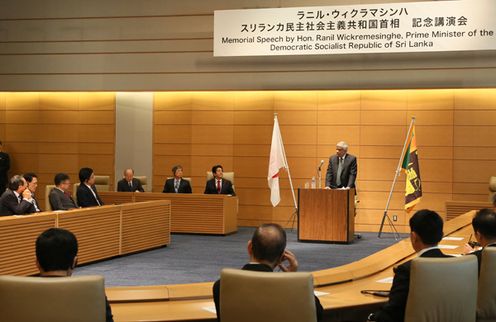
191	213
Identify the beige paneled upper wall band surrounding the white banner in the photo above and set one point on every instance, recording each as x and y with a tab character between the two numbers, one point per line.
164	45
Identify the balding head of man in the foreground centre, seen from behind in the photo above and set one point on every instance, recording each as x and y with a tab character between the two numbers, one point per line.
268	243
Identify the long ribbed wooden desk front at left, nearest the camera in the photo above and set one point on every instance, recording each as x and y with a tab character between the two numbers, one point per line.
102	232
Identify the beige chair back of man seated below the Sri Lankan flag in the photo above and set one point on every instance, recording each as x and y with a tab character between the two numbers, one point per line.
442	290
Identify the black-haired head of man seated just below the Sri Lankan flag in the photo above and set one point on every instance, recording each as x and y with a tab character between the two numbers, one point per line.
428	225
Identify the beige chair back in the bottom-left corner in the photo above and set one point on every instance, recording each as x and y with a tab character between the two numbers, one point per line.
56	299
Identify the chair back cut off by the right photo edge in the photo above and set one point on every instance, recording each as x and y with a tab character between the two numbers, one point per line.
486	297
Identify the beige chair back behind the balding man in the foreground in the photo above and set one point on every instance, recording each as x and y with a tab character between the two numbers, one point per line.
247	296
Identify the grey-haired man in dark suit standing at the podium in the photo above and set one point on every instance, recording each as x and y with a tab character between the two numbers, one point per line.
342	169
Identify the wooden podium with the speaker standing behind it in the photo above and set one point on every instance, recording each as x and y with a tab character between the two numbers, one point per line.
326	215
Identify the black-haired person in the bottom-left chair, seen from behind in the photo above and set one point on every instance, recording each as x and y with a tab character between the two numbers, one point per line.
56	256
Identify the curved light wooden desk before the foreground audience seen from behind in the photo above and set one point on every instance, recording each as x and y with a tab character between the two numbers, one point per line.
343	284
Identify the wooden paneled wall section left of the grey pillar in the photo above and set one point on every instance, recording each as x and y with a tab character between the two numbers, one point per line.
47	133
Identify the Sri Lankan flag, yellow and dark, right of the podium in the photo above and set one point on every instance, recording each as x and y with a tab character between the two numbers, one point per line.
413	189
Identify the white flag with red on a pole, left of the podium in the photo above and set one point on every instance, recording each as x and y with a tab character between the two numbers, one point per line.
276	163
